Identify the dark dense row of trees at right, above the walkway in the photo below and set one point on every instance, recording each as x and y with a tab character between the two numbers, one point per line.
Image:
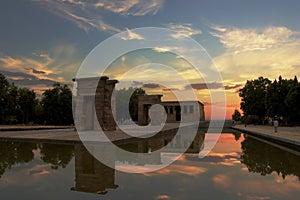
263	100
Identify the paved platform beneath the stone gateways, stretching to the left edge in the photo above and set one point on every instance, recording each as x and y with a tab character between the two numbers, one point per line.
71	136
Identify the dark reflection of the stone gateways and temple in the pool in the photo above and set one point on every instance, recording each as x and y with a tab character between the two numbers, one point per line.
92	176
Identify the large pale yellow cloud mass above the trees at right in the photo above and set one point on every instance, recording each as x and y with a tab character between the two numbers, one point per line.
249	53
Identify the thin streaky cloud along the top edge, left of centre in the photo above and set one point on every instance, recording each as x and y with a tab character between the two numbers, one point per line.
88	15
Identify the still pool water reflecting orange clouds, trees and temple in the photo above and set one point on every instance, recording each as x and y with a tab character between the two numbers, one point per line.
238	167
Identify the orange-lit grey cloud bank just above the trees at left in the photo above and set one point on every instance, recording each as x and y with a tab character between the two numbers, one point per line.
59	65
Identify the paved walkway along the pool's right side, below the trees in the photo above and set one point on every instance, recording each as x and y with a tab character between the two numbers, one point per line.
286	135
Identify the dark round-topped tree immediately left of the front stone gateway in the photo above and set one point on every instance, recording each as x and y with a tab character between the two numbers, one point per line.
57	105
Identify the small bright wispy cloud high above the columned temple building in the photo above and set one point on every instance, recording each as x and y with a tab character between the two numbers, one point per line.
183	30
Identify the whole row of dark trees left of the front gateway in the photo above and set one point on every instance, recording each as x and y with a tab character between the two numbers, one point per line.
21	106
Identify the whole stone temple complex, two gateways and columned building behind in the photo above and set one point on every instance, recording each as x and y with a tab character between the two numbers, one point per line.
97	107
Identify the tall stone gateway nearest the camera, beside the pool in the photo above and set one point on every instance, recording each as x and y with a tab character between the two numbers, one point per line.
94	100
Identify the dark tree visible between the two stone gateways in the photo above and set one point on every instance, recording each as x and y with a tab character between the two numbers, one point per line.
123	110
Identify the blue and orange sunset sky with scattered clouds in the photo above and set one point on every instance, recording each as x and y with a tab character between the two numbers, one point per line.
45	41
